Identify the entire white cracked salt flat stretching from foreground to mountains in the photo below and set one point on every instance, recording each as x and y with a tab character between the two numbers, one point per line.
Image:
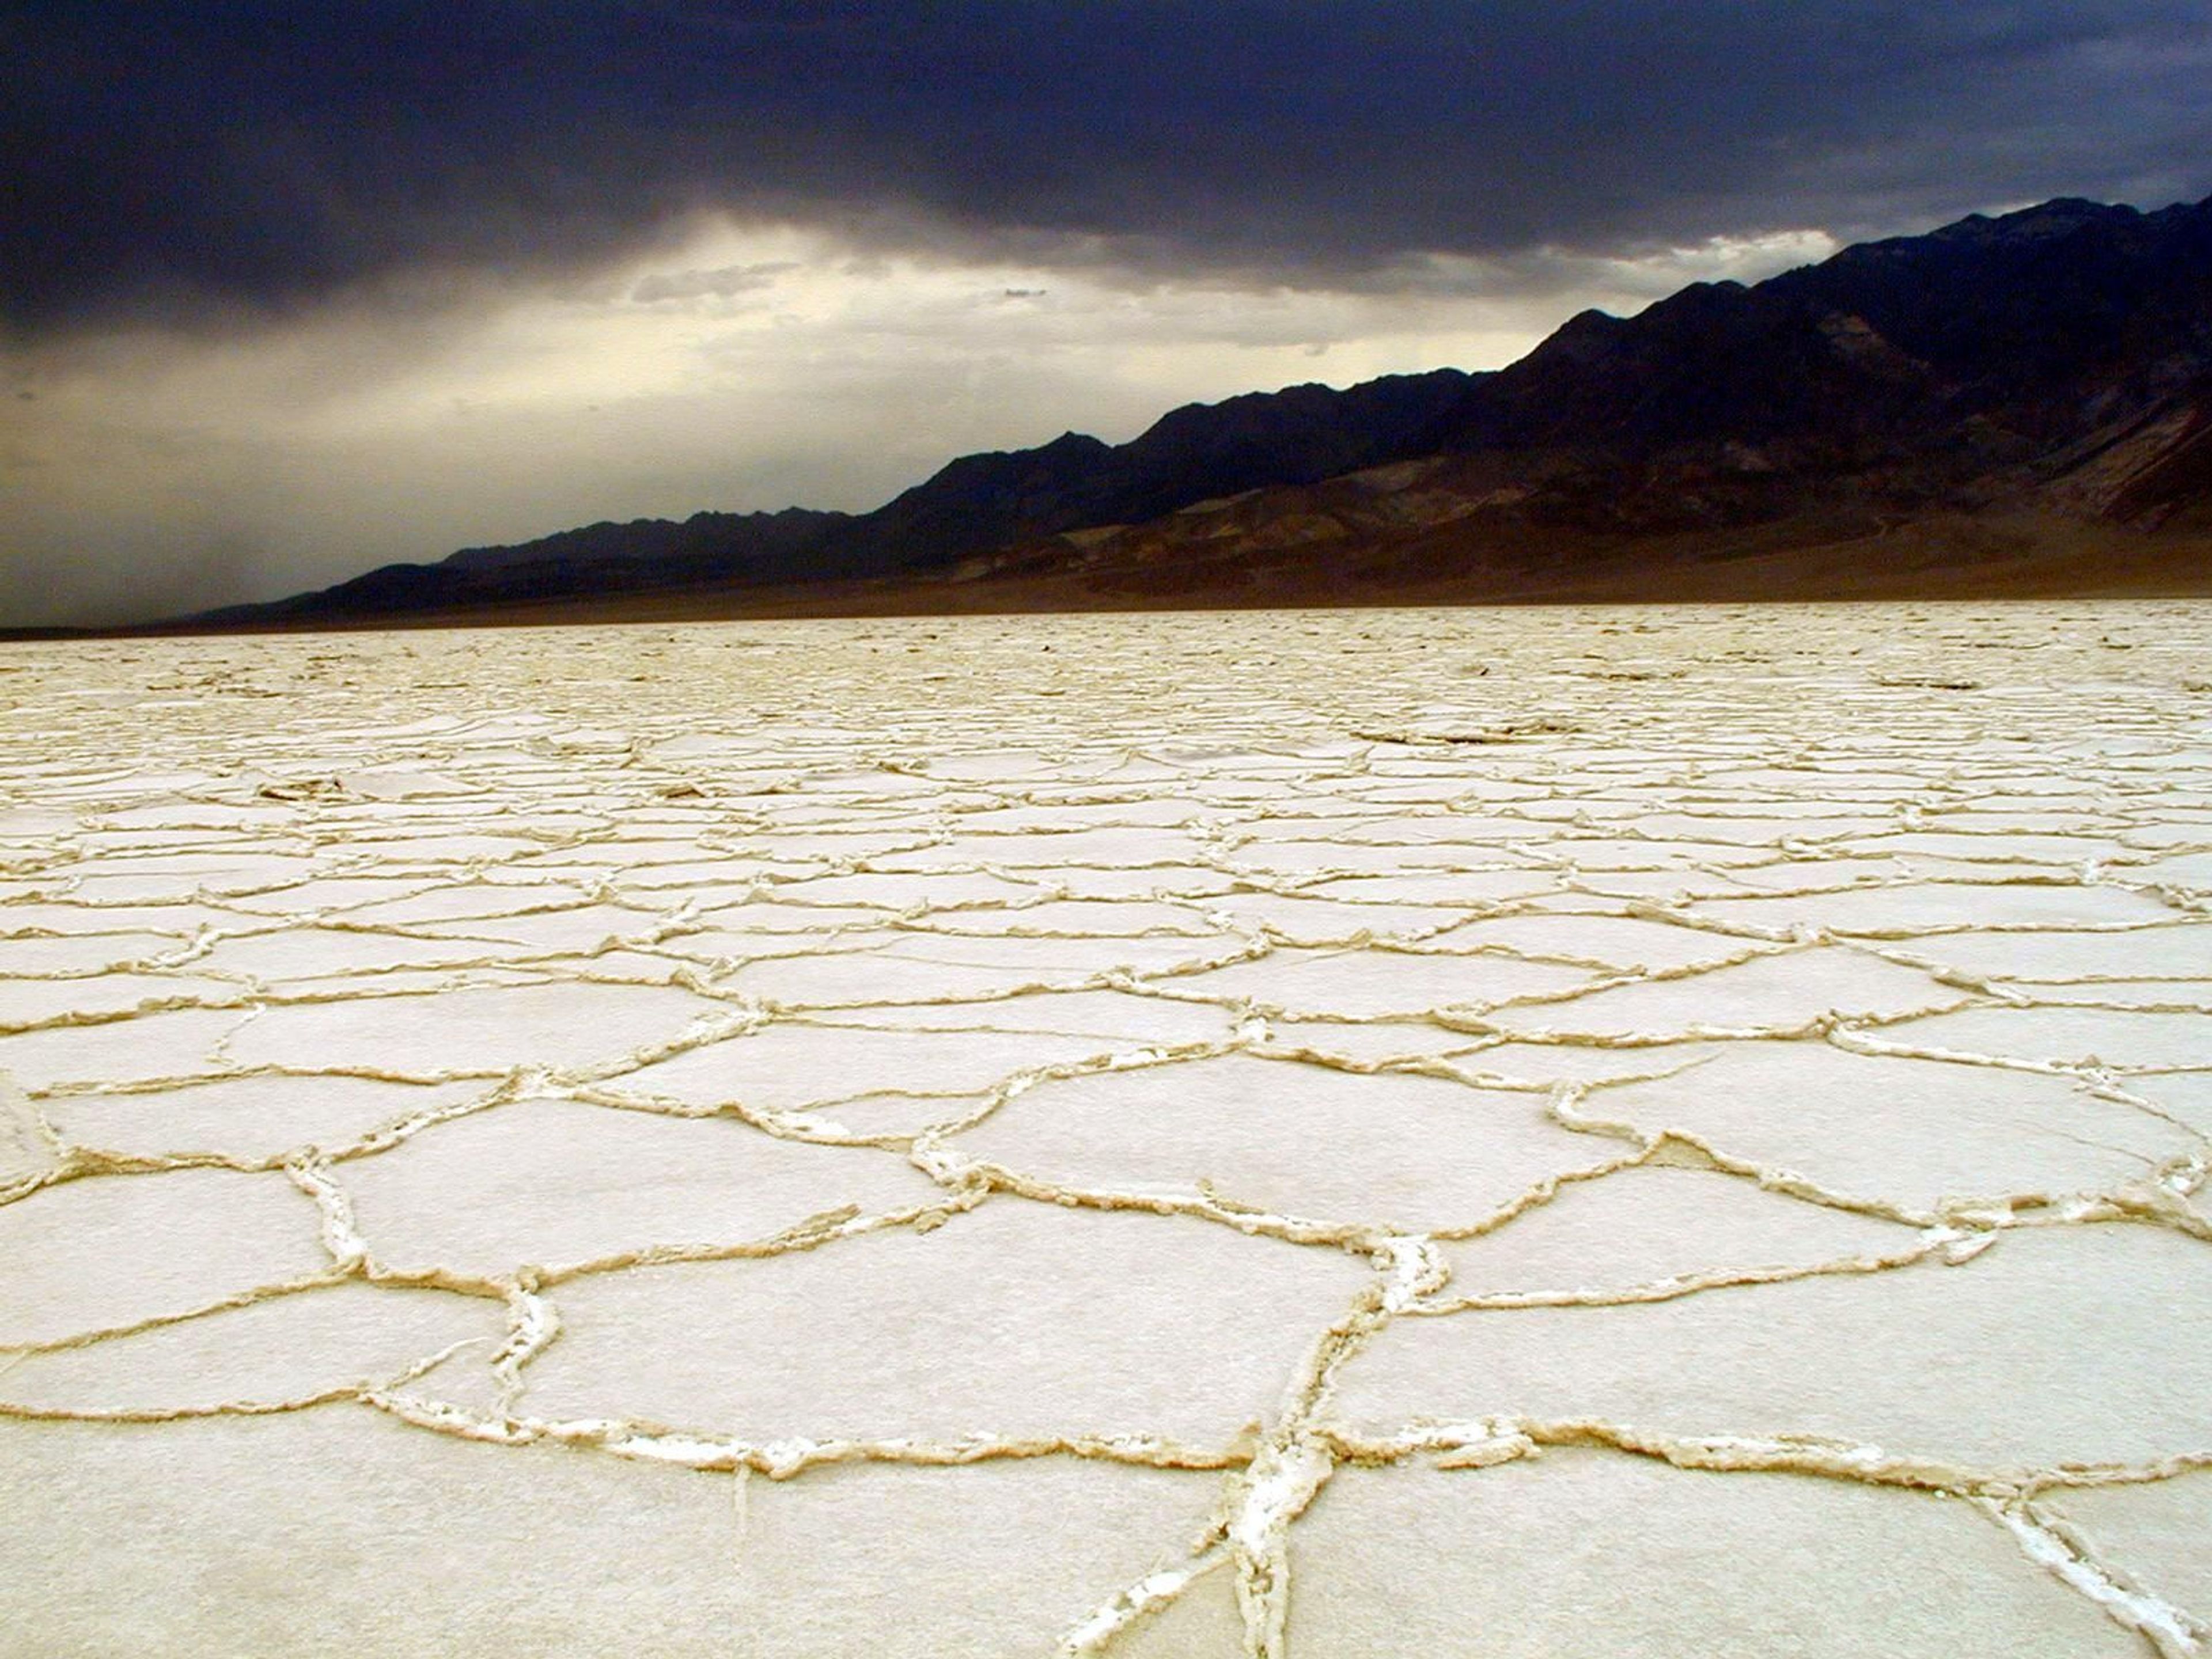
1519	1134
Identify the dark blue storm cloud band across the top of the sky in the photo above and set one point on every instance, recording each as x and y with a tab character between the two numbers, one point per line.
191	158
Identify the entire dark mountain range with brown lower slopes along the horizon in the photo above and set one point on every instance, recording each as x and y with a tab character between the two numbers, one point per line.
2012	404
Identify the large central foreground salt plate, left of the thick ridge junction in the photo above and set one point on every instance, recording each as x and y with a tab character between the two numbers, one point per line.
1016	1322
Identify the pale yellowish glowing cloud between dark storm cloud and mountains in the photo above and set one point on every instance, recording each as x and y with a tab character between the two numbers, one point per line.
740	368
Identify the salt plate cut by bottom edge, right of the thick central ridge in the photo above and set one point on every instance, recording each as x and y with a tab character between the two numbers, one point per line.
1576	1552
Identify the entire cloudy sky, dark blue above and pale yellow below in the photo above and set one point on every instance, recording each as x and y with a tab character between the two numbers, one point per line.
291	289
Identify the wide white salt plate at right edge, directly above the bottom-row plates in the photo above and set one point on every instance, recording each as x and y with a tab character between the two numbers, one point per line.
1906	1359
